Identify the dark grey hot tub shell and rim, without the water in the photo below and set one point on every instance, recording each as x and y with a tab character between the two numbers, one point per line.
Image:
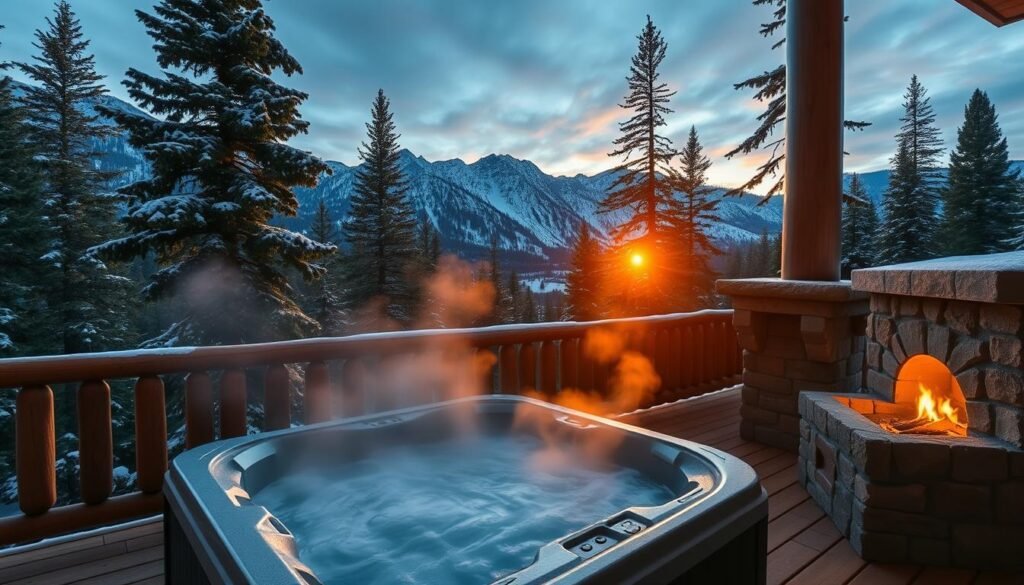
712	531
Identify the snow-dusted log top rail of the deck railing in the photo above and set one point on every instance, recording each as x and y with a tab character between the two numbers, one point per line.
112	365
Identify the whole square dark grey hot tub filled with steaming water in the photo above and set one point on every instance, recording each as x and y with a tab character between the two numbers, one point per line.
492	489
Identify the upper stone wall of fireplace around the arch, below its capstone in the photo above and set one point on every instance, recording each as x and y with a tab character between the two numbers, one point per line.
980	343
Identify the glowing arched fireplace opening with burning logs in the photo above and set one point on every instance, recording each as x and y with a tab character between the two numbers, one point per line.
929	400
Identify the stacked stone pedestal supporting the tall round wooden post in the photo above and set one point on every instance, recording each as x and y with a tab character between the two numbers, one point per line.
797	337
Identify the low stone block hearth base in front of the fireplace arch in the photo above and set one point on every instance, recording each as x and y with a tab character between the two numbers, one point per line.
940	502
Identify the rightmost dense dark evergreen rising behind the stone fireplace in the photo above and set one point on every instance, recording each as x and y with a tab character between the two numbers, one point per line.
984	193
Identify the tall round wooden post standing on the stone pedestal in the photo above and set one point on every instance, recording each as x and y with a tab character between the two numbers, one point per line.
815	141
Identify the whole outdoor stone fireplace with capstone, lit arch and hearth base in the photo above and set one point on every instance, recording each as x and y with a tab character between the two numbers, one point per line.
926	464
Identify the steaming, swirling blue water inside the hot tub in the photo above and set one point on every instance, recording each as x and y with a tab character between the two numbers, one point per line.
453	513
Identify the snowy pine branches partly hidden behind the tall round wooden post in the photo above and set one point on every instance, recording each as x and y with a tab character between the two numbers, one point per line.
770	89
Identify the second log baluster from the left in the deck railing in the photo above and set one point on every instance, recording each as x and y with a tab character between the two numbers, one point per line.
96	442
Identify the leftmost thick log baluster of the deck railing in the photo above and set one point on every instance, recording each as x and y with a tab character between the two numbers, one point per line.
36	450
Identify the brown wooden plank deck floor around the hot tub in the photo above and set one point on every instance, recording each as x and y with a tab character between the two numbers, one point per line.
803	546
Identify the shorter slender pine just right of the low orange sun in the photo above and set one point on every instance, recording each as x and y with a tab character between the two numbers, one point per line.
698	217
